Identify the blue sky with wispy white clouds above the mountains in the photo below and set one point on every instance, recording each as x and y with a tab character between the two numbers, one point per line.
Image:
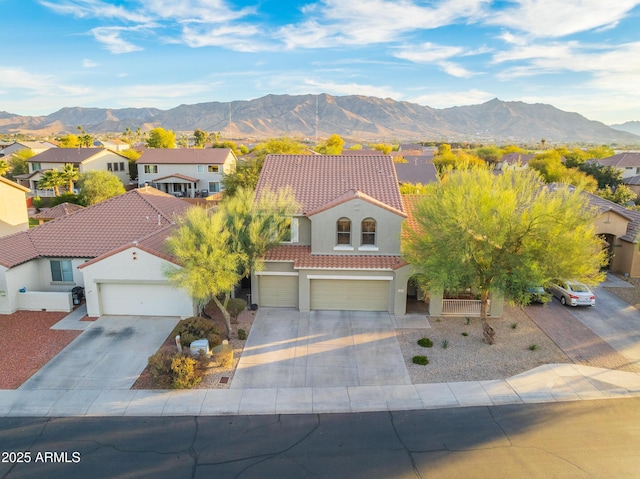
578	55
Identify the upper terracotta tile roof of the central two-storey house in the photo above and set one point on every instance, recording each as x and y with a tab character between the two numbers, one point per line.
317	180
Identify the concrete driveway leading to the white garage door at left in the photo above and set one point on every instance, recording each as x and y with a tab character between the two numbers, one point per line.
110	354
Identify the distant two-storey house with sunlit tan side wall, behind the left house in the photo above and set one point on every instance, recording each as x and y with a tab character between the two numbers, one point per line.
84	159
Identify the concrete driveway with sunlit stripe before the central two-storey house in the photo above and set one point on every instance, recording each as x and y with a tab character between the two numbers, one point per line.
291	349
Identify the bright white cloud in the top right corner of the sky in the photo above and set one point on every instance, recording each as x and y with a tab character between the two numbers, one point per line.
553	18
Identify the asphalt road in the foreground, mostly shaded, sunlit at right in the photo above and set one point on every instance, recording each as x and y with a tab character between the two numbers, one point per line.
585	439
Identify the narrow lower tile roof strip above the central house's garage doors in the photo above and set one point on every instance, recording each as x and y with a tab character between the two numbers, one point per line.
303	259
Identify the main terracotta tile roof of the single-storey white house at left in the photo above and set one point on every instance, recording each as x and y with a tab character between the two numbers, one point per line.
95	230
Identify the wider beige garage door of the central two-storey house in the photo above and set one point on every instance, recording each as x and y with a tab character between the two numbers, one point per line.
349	295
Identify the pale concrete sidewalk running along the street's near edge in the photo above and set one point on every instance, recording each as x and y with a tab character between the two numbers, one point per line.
548	383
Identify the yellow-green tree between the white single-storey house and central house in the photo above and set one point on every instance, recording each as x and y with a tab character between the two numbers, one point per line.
216	250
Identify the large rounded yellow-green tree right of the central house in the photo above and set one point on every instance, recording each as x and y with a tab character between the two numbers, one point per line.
502	233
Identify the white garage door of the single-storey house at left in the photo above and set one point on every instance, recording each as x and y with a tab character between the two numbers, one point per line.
144	299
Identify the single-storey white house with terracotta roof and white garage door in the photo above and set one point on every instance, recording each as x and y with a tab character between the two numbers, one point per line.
113	249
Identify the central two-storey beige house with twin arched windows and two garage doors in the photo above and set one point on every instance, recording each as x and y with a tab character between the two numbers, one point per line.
343	251
